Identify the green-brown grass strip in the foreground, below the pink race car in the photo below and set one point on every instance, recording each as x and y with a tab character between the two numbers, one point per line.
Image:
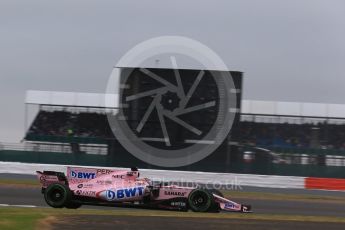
33	218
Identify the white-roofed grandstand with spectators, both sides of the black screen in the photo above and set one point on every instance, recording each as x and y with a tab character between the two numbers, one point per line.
88	124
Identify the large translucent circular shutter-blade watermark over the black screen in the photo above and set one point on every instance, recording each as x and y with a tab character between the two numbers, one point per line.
172	116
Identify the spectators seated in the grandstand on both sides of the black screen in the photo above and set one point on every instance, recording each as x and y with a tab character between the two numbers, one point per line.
307	135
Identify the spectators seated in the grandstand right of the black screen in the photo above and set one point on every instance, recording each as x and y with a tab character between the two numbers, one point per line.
307	135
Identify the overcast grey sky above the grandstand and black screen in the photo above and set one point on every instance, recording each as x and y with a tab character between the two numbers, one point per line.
291	50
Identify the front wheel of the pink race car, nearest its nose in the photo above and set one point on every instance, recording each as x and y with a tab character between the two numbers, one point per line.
200	200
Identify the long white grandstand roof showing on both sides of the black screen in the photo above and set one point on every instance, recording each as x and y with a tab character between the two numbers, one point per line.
247	107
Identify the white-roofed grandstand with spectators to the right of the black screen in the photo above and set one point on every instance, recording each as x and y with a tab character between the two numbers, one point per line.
299	126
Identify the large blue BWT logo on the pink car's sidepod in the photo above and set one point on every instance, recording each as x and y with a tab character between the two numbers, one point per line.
122	193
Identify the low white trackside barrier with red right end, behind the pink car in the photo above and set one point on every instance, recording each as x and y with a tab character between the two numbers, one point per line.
221	179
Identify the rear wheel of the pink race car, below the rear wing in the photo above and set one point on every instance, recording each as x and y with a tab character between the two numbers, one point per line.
57	195
